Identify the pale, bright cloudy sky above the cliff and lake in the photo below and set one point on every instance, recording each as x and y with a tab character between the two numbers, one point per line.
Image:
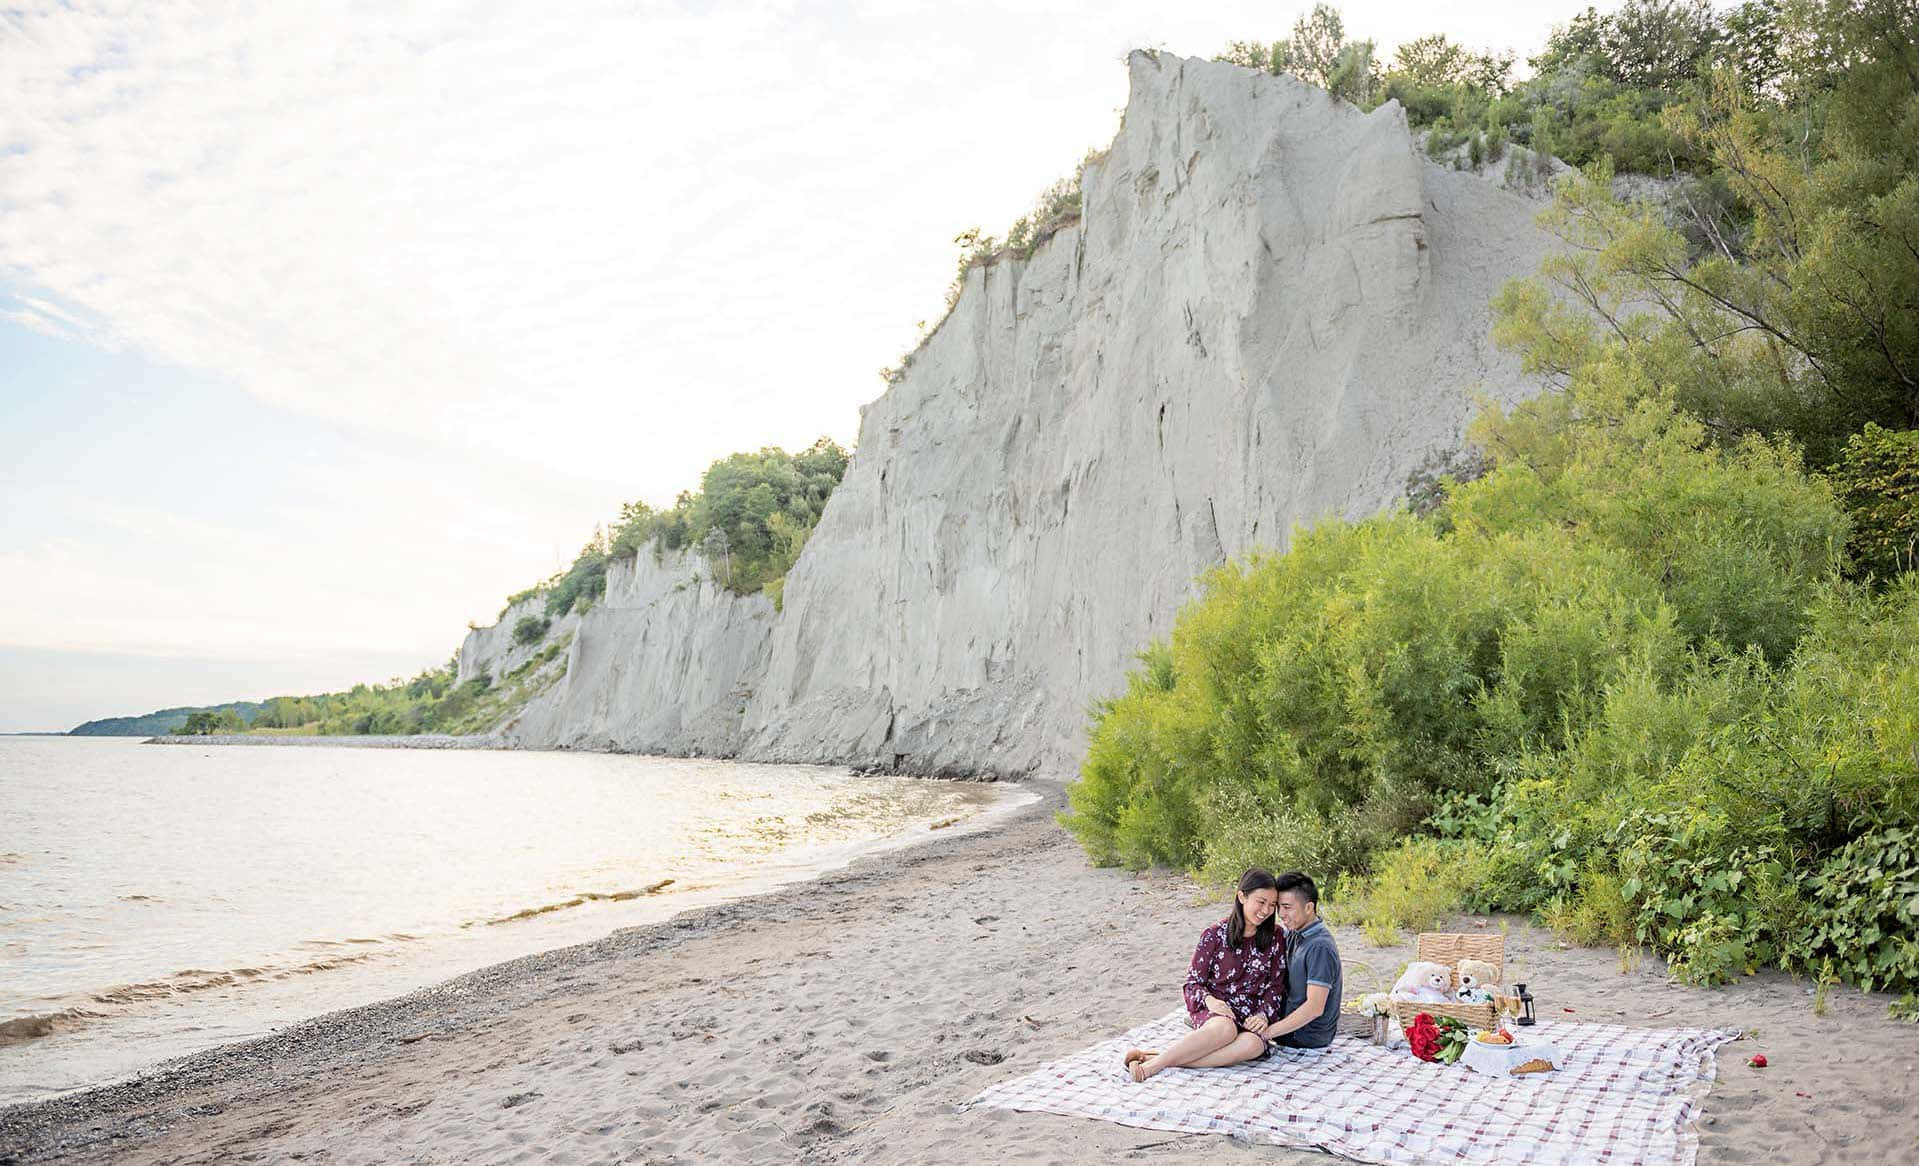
327	327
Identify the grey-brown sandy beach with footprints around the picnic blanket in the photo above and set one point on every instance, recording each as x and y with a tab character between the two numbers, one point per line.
847	1019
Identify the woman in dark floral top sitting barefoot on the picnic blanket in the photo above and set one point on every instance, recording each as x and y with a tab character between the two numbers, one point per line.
1233	989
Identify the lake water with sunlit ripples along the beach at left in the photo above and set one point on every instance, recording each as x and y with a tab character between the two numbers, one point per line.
160	900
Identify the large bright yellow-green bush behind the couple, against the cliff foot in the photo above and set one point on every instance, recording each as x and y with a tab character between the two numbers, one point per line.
1383	668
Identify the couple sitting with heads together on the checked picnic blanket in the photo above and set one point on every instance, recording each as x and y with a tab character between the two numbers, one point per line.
1250	989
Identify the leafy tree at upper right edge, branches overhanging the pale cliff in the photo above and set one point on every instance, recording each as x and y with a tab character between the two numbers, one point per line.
1797	319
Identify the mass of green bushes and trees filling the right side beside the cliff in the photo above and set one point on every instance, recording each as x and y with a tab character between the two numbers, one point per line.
1655	674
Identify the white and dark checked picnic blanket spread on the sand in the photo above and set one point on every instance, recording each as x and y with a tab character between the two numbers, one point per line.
1623	1096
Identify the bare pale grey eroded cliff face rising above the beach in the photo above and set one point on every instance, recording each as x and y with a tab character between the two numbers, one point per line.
1271	312
